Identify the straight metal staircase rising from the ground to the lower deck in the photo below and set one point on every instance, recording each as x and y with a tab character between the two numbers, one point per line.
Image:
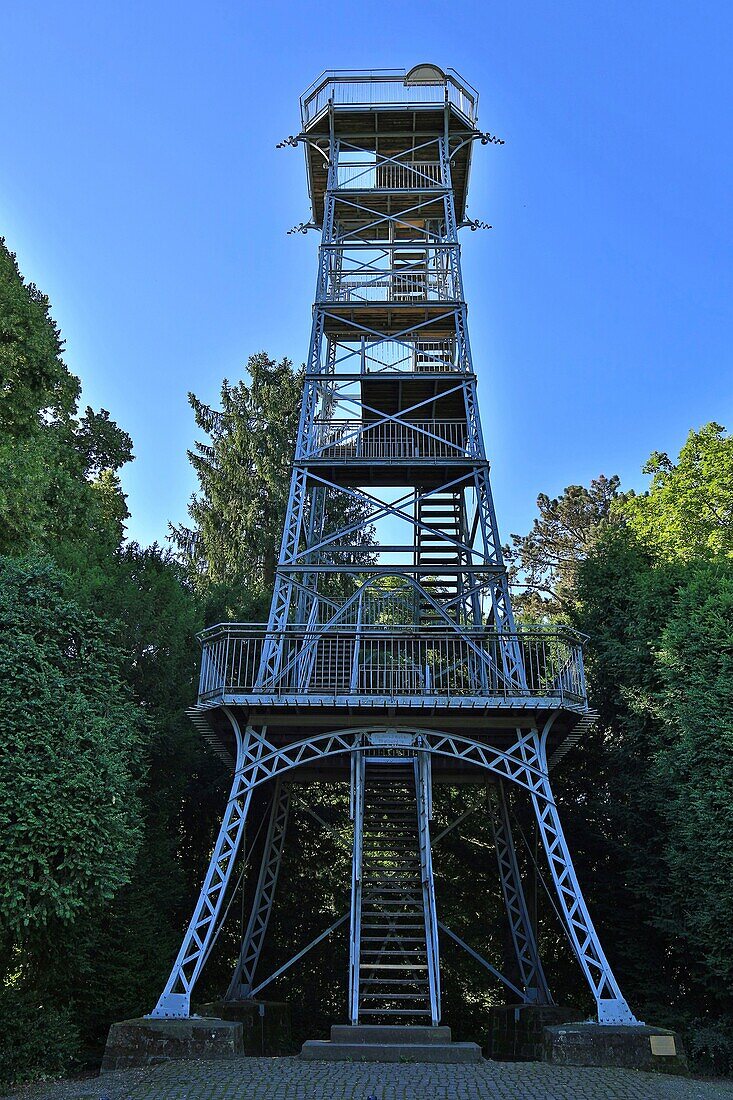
395	928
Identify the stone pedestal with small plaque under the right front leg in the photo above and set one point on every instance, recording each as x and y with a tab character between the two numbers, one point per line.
592	1044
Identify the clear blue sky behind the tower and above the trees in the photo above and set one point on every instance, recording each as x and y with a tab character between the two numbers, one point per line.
141	190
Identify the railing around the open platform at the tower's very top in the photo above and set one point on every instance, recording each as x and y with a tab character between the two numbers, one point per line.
374	90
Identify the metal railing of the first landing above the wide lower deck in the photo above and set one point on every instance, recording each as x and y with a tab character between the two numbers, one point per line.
358	441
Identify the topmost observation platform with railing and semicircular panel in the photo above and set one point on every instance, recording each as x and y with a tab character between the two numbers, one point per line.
397	115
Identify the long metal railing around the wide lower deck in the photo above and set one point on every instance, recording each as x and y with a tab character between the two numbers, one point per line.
391	662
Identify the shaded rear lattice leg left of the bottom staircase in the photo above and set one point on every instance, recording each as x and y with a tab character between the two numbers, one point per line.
244	976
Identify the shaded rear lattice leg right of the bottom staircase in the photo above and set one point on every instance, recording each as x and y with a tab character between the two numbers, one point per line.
523	936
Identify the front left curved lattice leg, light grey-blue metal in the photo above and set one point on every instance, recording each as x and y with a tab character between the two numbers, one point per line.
176	999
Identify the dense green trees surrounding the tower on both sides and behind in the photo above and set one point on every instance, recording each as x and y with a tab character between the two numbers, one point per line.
110	802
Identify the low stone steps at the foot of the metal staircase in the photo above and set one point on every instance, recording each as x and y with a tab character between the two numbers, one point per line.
389	1043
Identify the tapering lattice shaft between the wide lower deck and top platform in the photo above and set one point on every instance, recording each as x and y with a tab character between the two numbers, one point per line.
375	257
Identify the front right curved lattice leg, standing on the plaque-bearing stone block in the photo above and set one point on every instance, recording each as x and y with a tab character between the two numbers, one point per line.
611	1005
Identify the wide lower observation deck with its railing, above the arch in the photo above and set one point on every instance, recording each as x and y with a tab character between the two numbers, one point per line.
396	677
